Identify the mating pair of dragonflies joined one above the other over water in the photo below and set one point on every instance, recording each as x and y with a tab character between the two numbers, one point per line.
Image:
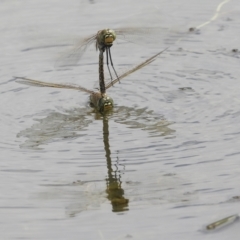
103	40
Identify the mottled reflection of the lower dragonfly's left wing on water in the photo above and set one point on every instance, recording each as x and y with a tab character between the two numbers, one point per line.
56	126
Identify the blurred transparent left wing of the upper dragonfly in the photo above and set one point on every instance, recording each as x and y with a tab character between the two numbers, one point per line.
71	57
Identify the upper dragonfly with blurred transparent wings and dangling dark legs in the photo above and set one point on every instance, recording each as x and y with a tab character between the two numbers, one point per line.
104	40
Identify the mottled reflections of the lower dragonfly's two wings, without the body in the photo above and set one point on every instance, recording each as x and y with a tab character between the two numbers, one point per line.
71	124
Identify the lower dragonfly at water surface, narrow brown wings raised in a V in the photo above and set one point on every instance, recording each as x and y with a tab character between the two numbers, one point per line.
98	99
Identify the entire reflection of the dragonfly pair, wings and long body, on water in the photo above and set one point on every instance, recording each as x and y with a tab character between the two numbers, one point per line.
71	124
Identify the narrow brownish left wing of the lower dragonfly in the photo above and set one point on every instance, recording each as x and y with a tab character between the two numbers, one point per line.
37	83
